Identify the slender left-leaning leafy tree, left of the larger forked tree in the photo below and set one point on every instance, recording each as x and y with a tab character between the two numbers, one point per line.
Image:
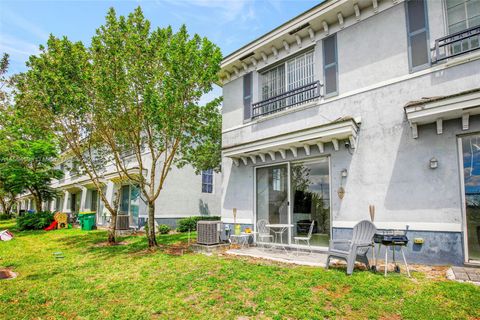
56	94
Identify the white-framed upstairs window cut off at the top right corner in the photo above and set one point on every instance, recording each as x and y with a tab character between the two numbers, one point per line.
461	15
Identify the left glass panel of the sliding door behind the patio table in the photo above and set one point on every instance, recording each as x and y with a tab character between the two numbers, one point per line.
272	195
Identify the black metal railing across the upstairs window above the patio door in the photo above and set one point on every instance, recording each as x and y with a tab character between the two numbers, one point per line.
286	100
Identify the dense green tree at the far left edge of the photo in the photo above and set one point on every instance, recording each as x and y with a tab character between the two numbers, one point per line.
27	154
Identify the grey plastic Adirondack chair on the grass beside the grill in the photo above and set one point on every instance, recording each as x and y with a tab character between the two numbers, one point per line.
357	248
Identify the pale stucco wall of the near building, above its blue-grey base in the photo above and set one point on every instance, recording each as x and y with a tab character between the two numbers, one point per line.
389	168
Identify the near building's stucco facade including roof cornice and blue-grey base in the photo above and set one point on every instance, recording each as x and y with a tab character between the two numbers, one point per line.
388	168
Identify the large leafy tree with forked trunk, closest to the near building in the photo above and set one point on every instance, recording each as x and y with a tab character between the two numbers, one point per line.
147	88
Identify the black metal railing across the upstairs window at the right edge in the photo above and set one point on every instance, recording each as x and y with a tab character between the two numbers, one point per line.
456	44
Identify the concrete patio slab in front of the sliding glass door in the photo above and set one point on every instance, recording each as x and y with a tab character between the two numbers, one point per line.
315	259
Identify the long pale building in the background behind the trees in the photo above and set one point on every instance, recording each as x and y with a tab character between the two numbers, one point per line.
185	194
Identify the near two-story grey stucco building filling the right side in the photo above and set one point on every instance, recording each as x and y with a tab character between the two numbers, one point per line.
359	103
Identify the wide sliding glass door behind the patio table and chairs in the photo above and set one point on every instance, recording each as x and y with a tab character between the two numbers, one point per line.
298	197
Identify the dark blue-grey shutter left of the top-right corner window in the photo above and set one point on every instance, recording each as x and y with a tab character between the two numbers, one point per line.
417	31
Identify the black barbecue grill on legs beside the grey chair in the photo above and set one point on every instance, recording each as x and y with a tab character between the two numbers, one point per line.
391	238
